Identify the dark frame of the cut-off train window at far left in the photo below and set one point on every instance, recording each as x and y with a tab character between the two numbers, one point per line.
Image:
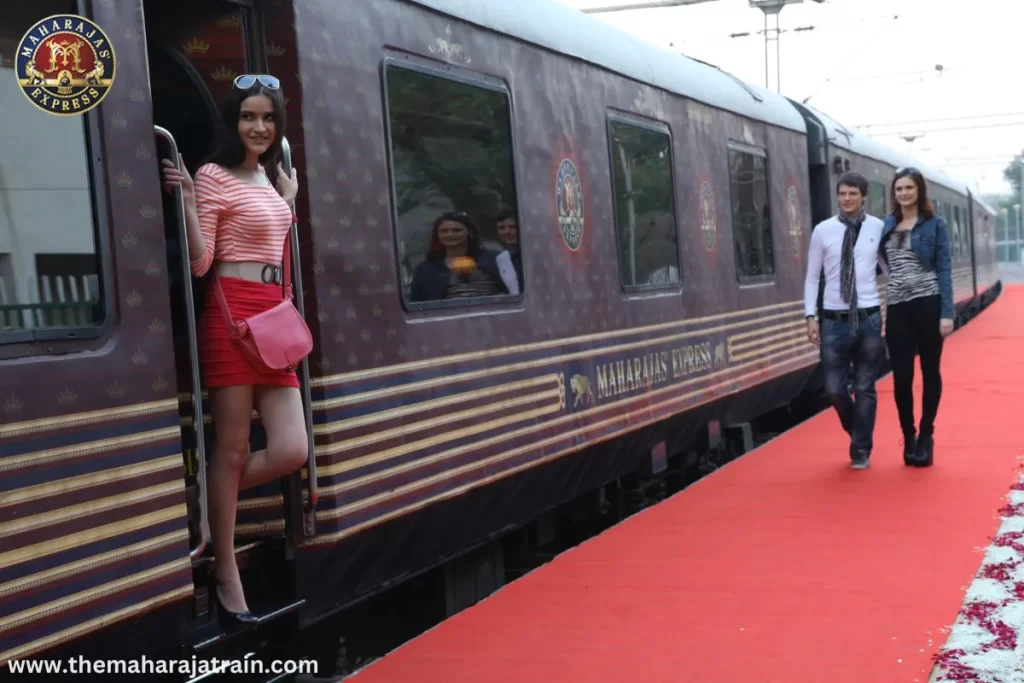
102	230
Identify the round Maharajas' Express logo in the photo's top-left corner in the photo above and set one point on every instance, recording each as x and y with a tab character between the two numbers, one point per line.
65	65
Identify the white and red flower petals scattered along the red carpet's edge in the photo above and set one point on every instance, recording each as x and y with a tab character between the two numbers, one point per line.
986	644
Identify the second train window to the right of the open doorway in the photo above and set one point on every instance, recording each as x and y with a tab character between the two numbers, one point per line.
645	200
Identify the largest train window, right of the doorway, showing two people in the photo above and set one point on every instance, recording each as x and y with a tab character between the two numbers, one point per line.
454	185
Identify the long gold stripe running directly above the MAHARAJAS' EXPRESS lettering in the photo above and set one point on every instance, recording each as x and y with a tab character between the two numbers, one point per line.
494	371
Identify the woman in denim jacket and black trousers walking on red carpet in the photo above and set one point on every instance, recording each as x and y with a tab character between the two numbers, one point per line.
920	308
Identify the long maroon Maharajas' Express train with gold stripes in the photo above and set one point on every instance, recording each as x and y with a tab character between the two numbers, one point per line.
664	212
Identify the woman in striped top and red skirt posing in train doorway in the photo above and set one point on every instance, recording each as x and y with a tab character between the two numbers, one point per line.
238	222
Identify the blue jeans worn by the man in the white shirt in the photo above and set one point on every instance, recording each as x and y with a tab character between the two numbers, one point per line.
860	352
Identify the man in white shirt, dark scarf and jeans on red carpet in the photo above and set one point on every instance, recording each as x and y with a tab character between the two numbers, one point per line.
846	247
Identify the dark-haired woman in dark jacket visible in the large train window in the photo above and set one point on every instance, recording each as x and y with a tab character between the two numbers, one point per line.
456	266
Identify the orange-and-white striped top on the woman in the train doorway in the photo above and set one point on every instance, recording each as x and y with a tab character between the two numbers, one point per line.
240	222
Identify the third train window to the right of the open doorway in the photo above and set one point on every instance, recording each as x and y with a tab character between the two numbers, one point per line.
751	214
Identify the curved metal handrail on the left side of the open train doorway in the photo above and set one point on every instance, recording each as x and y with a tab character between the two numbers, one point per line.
180	207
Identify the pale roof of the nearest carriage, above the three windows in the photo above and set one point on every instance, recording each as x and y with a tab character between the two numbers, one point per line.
571	32
